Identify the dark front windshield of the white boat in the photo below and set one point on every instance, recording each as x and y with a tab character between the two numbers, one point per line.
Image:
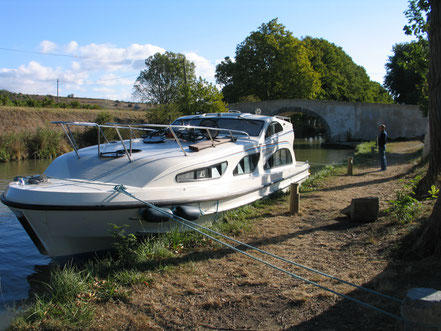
252	127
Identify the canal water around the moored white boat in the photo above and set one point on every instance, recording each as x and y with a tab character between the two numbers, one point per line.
20	261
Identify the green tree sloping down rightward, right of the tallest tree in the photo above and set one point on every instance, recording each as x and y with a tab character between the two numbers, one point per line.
340	78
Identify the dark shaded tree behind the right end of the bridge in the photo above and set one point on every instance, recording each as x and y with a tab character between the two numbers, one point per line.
406	73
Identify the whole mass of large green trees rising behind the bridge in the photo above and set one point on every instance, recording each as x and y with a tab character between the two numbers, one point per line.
272	64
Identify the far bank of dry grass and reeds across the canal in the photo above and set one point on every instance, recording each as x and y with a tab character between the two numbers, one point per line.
27	132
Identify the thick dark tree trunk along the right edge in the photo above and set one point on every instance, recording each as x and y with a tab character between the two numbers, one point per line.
429	241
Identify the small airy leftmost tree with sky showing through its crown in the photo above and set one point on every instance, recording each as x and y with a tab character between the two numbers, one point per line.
165	75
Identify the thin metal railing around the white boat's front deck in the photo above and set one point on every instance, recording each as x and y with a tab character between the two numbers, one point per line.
173	129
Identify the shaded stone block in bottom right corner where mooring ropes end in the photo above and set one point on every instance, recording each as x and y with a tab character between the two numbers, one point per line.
422	309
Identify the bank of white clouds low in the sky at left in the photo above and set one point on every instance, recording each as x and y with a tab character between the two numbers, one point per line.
95	70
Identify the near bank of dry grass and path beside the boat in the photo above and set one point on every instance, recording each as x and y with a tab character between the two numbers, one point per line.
183	280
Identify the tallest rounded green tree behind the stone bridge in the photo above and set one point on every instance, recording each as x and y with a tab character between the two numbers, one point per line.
270	64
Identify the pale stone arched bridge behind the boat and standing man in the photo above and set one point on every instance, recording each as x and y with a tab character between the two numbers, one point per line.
345	121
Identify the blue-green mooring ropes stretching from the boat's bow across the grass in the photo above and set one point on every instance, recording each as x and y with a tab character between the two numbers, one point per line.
195	226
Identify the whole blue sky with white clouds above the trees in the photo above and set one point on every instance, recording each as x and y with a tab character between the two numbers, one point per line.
96	48
